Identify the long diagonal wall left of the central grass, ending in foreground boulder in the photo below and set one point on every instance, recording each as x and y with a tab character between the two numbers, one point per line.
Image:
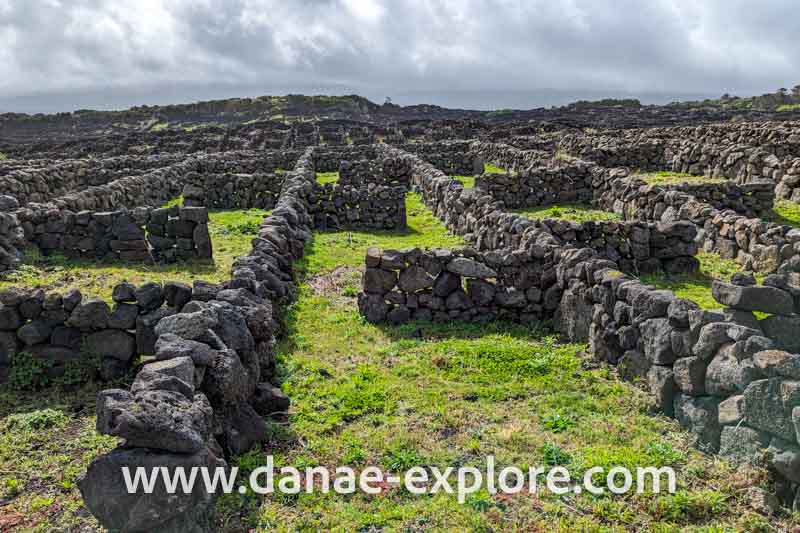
203	398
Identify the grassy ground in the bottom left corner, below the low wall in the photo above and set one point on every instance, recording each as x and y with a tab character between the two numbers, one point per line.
47	439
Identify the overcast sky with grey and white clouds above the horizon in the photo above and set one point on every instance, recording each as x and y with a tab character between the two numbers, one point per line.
174	50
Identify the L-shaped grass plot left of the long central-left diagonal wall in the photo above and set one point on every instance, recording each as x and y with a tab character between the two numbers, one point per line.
231	234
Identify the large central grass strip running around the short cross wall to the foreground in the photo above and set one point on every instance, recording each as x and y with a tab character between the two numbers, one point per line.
451	394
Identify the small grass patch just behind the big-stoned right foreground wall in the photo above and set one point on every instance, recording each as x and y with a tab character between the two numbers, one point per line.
697	287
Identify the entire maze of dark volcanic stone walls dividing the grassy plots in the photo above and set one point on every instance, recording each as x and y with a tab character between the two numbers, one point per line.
731	376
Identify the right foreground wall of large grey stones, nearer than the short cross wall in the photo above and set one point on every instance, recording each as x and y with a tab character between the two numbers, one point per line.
727	377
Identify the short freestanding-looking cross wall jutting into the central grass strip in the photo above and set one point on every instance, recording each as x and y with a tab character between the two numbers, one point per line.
442	285
